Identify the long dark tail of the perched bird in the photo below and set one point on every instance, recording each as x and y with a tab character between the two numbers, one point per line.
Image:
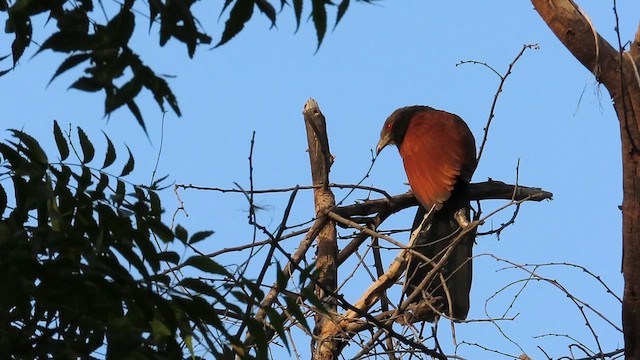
433	242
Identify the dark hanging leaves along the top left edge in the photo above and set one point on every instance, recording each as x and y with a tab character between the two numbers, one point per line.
104	46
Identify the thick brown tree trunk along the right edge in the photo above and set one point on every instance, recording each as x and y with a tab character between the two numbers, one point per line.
618	72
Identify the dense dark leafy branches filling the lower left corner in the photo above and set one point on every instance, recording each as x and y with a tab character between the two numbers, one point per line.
86	264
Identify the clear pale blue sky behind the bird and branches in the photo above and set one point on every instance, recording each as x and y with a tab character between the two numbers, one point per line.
552	117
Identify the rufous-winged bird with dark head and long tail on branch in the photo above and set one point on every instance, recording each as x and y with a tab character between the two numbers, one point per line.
439	155
